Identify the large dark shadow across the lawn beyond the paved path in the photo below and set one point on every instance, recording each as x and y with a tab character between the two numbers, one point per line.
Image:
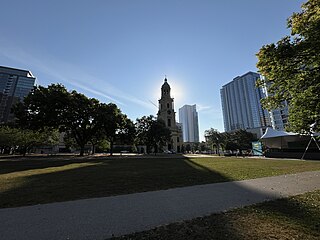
103	177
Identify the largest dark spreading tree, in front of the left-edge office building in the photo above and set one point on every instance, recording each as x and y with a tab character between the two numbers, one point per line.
55	107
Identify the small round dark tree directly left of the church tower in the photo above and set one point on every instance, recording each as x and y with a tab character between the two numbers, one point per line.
152	132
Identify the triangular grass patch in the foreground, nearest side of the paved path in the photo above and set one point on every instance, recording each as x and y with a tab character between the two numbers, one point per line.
289	218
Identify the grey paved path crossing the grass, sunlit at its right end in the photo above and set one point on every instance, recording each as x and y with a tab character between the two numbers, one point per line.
100	218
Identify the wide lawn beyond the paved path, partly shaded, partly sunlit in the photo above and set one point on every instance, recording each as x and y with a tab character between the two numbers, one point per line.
28	181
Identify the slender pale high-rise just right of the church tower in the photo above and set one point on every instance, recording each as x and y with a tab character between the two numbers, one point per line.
188	117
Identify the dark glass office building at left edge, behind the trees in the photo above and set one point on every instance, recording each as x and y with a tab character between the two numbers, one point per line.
15	84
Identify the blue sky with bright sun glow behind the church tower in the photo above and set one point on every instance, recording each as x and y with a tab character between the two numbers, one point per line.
120	50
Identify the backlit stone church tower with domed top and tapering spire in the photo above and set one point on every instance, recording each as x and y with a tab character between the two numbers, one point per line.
168	115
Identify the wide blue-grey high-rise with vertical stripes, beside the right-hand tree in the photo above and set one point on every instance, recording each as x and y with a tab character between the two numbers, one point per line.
241	105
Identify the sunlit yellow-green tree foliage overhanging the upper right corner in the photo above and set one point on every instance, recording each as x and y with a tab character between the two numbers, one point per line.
292	69
